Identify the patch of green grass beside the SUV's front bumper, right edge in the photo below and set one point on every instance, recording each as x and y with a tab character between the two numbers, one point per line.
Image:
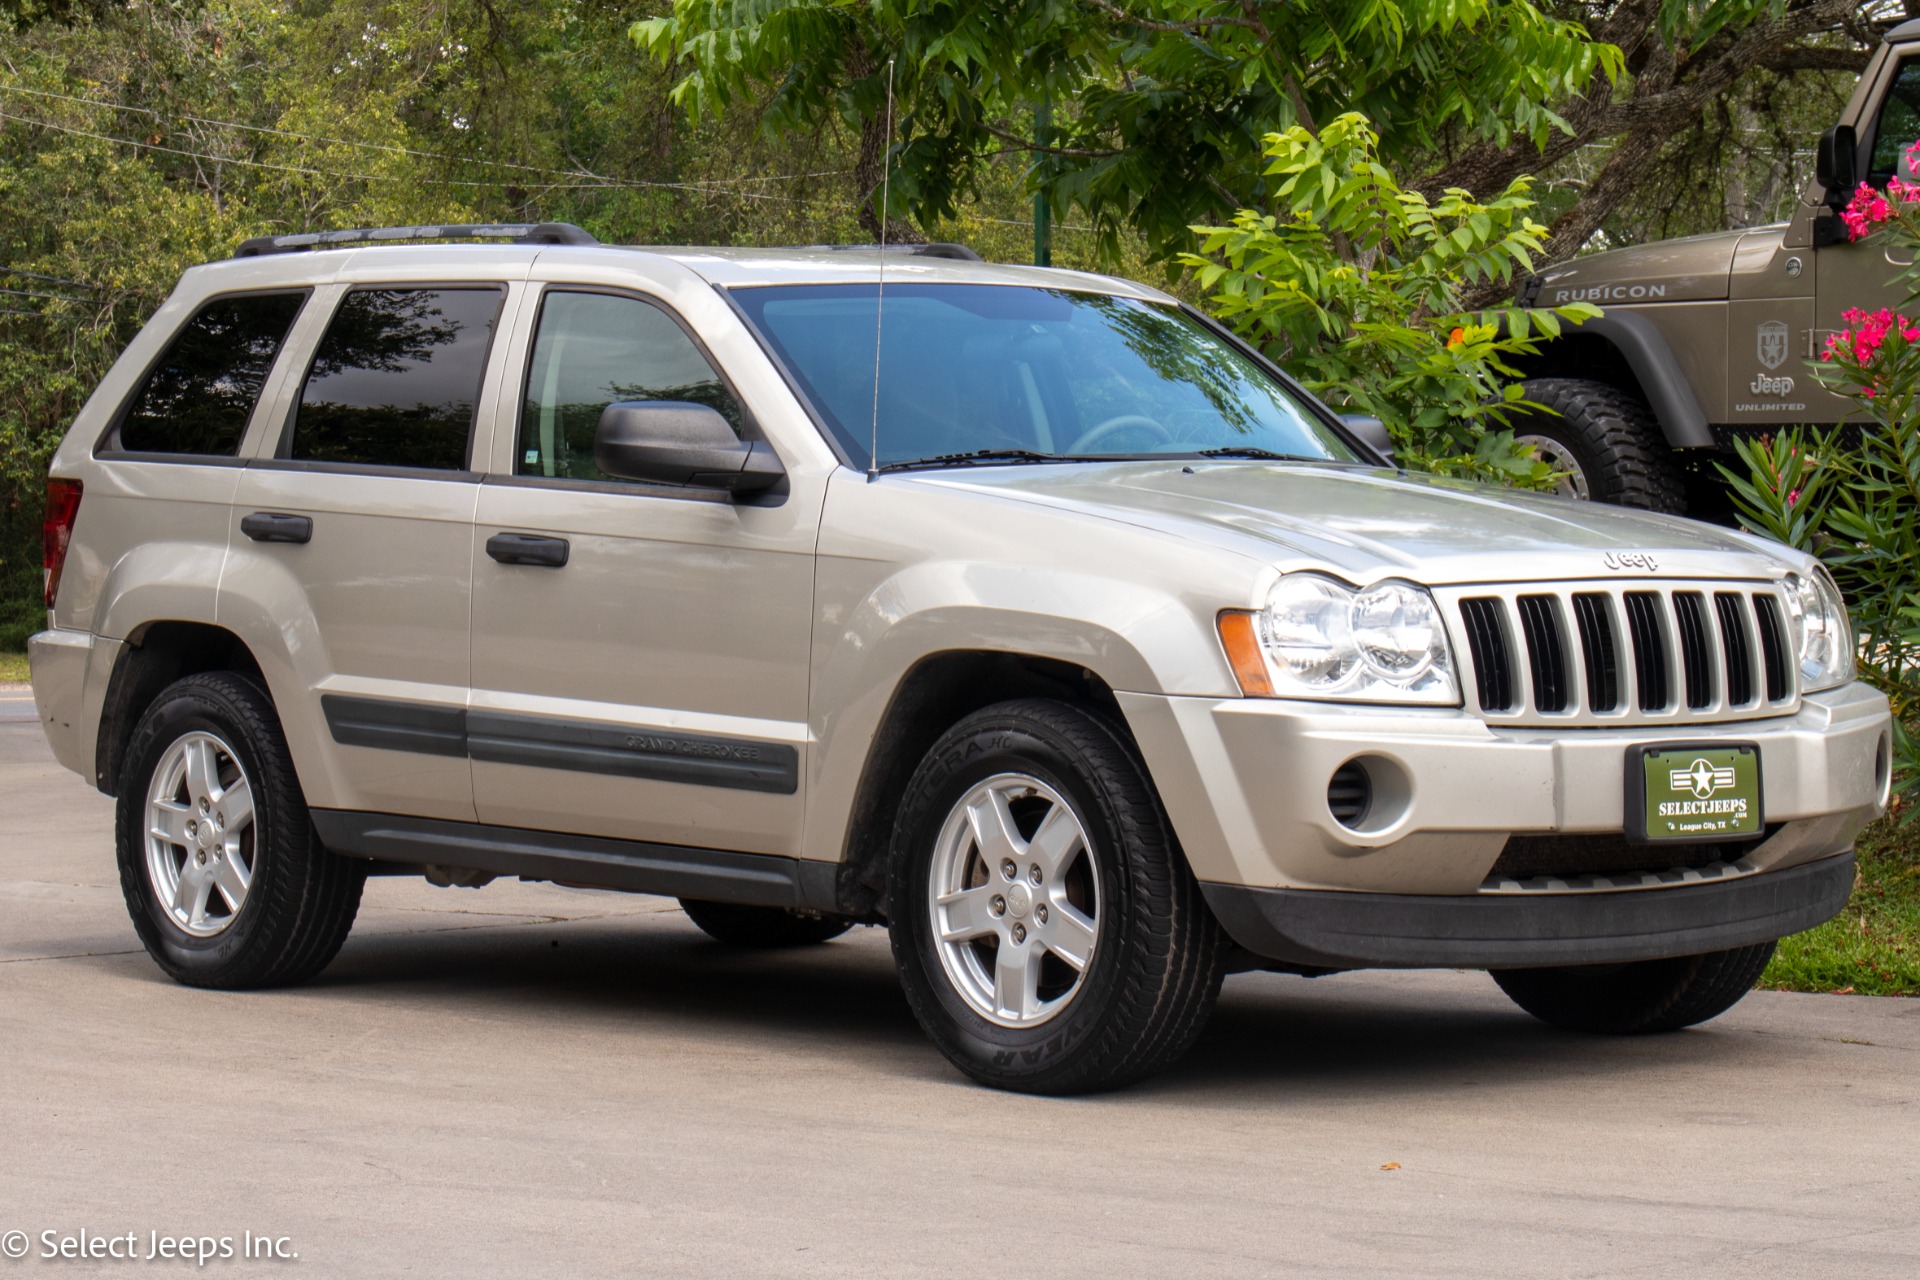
1873	949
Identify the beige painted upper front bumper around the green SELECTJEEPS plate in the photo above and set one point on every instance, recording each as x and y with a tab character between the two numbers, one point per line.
1245	784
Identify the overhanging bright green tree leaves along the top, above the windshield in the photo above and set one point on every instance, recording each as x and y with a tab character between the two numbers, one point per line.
1159	105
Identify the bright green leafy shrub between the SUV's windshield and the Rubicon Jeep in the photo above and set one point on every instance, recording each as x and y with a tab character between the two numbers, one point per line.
1358	289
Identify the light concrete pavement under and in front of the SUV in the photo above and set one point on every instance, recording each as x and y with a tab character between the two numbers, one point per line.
535	1081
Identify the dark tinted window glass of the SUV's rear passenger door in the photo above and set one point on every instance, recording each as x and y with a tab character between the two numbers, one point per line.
396	379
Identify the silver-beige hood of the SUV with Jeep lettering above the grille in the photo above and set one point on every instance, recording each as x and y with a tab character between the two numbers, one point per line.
1370	523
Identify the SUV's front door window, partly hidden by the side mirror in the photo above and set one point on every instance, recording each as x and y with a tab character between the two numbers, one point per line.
590	352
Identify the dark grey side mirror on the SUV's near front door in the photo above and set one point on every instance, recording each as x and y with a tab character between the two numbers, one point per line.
679	442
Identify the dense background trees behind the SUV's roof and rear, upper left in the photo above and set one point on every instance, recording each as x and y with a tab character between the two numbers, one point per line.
143	137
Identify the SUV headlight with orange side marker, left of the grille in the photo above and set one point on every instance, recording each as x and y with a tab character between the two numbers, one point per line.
1324	640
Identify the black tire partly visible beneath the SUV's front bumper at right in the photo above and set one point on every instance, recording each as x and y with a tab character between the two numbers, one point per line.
1639	999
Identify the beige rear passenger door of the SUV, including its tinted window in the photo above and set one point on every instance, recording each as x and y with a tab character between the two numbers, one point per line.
354	546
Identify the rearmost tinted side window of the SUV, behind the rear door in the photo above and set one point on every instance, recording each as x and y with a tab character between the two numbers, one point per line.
203	392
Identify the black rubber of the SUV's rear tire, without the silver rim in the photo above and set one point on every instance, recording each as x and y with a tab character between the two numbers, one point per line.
306	903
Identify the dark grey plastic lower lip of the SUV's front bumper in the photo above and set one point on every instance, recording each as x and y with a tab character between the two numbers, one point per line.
1493	932
